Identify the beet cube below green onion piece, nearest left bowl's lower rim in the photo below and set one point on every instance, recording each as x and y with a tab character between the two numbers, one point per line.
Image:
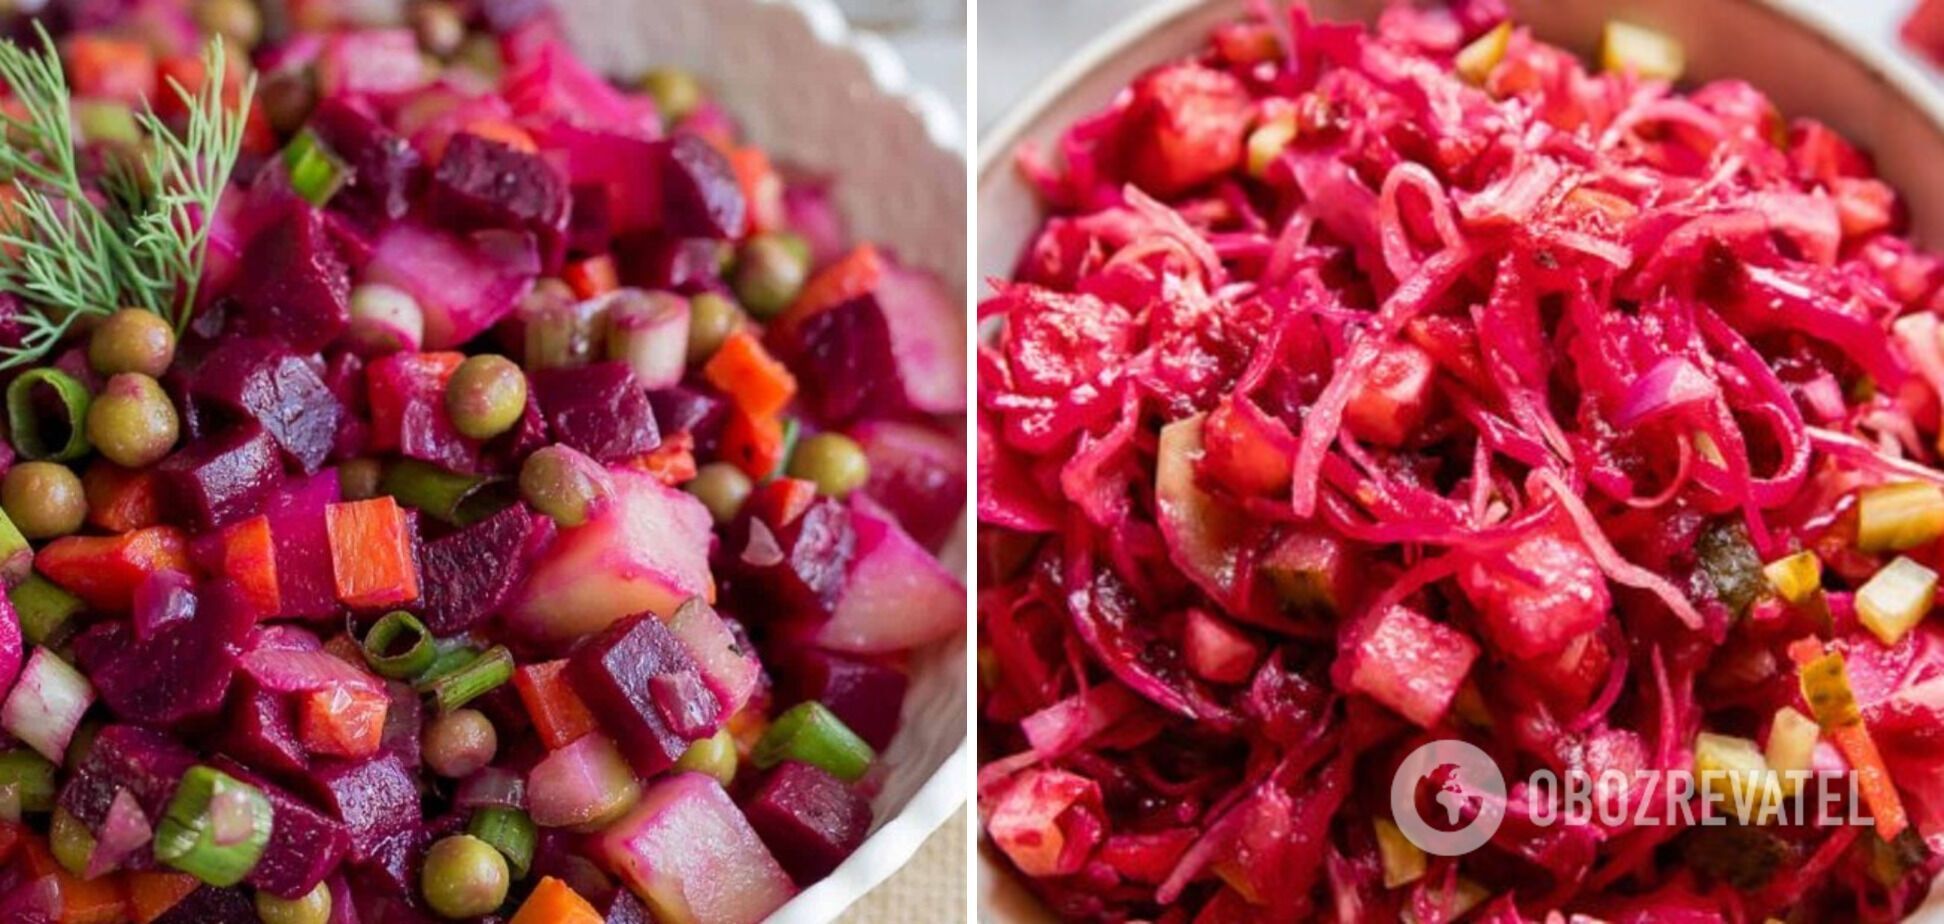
808	818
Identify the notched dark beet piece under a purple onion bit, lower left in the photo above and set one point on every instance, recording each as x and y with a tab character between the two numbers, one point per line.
184	672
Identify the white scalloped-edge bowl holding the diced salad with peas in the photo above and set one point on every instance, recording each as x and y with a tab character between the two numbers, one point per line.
835	102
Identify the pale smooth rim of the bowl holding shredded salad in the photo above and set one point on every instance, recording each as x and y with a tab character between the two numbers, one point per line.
1891	65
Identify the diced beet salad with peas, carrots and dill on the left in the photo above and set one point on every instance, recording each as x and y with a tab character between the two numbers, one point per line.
462	489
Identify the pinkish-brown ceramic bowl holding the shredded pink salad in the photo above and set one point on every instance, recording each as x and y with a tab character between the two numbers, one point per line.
1791	50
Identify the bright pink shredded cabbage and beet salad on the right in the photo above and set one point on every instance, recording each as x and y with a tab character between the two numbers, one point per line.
1373	386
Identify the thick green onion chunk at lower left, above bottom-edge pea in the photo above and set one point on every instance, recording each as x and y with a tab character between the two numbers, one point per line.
190	835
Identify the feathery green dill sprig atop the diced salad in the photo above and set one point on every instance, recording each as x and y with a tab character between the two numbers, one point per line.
133	238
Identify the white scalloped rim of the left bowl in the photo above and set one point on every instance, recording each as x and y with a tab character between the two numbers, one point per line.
897	841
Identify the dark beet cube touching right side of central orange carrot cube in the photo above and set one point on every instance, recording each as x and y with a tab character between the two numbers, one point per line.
468	575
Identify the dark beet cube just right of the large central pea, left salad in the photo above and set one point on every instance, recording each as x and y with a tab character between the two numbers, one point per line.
598	409
